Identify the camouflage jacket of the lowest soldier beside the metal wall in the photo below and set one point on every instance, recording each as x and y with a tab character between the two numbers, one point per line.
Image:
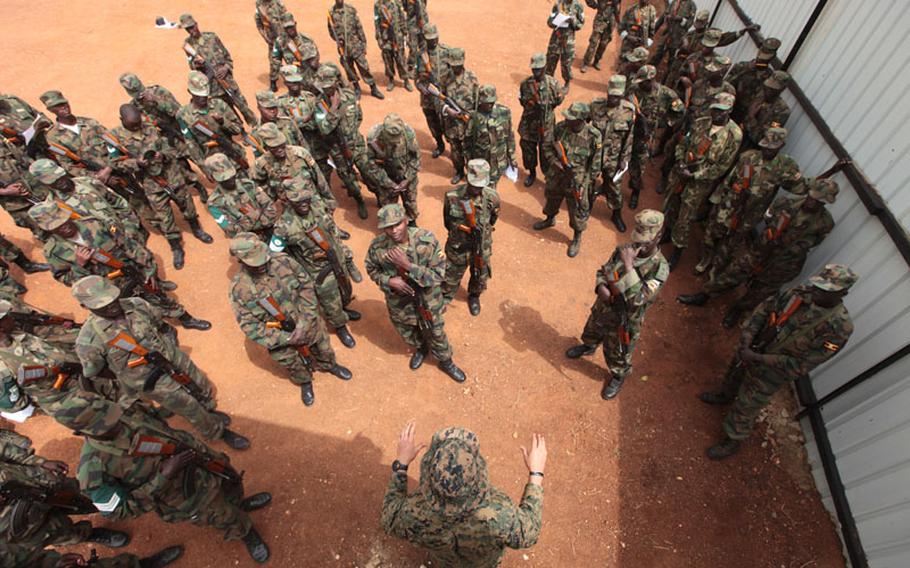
810	335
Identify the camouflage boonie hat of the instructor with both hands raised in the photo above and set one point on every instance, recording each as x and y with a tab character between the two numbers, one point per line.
453	474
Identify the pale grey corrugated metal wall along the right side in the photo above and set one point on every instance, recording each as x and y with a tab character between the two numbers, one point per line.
855	67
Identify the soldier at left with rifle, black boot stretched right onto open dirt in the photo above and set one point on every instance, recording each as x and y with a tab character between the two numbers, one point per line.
80	247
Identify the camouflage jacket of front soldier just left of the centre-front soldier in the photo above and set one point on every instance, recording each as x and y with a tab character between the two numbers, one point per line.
290	286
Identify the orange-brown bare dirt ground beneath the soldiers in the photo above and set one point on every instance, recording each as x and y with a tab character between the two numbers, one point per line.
628	483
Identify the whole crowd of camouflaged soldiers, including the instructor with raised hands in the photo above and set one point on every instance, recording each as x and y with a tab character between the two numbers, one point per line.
91	194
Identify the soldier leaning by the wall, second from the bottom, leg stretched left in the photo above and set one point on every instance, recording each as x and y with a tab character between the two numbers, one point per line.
793	227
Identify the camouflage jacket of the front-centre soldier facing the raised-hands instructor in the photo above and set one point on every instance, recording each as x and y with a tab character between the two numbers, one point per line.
428	266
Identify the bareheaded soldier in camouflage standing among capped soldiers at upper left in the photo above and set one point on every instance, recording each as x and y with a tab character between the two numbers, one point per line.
163	177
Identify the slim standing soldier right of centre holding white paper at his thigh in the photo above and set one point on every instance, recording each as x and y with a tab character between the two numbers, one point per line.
614	118
